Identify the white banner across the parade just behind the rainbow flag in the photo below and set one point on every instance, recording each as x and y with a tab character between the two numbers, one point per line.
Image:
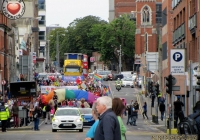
47	89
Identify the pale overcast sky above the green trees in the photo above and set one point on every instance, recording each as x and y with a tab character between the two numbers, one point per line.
63	12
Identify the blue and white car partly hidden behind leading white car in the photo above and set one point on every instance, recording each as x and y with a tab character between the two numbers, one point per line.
88	119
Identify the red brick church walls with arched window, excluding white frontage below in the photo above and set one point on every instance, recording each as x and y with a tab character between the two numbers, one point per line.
148	17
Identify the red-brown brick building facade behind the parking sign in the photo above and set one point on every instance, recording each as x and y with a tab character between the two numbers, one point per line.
181	31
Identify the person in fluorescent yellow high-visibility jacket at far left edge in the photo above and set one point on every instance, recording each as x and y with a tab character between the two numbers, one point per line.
4	115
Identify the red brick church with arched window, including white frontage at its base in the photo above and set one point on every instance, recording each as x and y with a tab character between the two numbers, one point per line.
148	18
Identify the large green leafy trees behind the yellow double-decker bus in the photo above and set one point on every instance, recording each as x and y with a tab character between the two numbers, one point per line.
89	34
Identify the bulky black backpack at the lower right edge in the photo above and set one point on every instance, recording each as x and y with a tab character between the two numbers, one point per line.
188	125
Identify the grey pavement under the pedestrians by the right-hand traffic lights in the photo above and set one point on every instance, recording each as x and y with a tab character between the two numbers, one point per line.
162	125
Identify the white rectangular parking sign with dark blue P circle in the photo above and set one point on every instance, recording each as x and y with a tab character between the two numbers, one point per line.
177	60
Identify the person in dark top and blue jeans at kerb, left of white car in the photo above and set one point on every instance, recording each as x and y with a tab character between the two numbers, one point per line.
36	115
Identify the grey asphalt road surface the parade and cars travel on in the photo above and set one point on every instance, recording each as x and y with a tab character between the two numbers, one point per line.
142	131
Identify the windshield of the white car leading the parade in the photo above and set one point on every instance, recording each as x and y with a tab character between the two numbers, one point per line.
67	112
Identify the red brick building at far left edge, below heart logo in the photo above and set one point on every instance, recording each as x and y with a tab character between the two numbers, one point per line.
4	29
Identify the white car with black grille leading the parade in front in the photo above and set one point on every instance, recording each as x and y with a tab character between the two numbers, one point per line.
67	118
